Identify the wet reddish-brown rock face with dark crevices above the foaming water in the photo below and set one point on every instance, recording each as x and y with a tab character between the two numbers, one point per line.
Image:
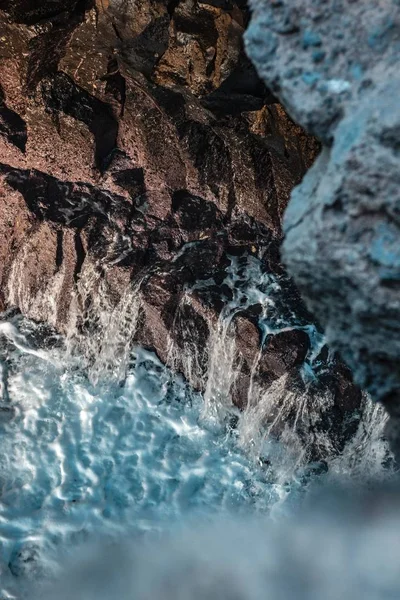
139	153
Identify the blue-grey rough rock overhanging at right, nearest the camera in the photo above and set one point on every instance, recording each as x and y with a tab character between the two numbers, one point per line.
334	66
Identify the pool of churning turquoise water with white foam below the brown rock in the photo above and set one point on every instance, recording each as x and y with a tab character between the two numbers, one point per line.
77	460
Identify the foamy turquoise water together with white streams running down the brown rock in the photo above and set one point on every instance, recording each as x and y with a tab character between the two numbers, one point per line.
109	442
